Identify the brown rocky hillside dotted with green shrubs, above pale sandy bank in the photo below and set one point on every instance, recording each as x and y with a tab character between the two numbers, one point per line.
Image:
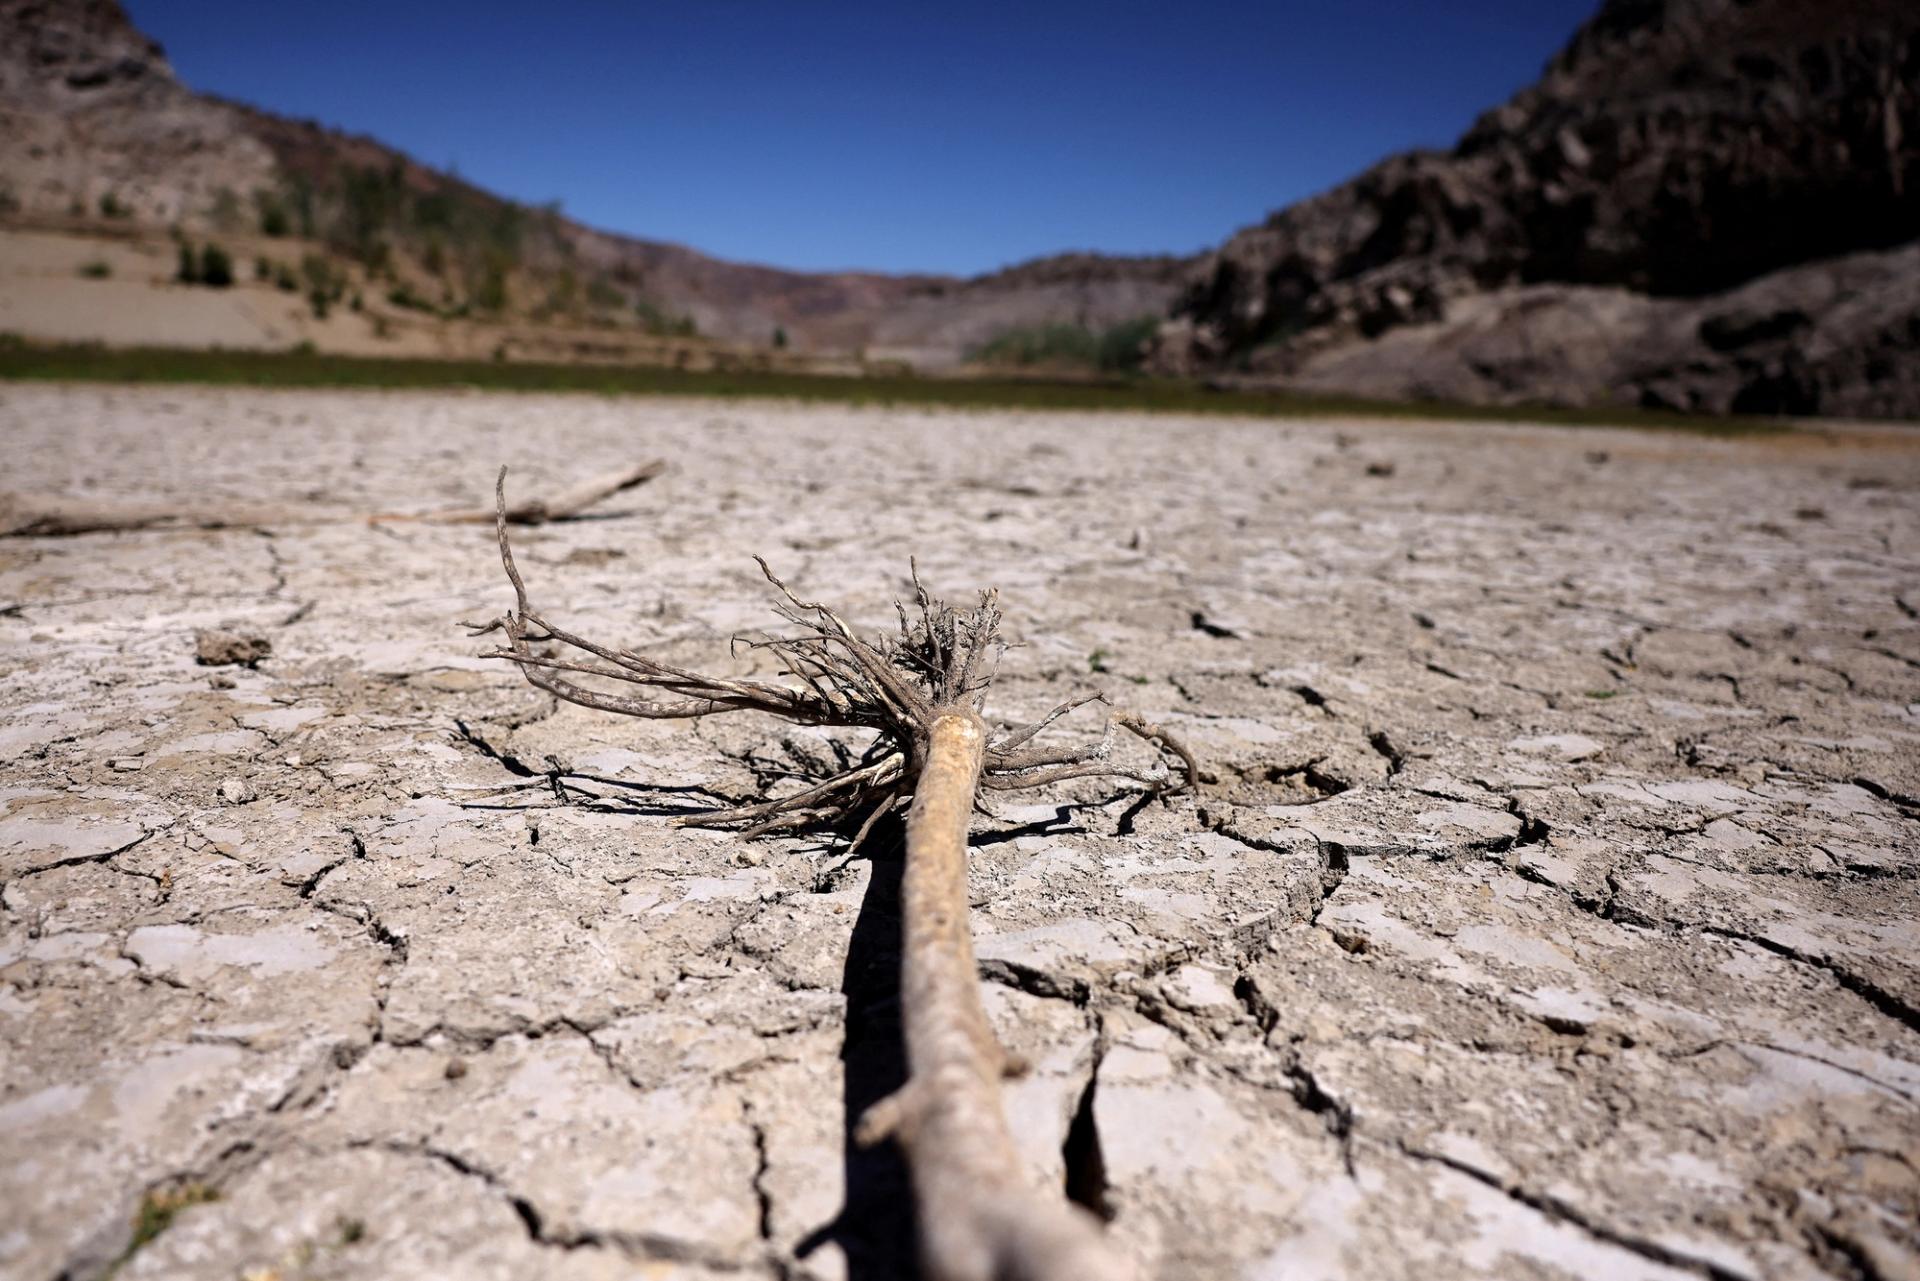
93	118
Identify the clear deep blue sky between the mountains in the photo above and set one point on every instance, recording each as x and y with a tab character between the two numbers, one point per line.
898	137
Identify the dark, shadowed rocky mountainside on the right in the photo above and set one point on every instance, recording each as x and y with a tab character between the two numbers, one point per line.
1704	205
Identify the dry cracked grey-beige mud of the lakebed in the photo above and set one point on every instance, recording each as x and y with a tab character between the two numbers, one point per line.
1550	911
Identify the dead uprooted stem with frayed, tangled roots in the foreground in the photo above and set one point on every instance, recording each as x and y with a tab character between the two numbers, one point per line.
921	696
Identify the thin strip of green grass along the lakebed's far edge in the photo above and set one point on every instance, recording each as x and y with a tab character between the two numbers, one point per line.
304	370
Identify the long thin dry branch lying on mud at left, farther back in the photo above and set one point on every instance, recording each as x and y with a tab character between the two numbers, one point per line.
26	516
